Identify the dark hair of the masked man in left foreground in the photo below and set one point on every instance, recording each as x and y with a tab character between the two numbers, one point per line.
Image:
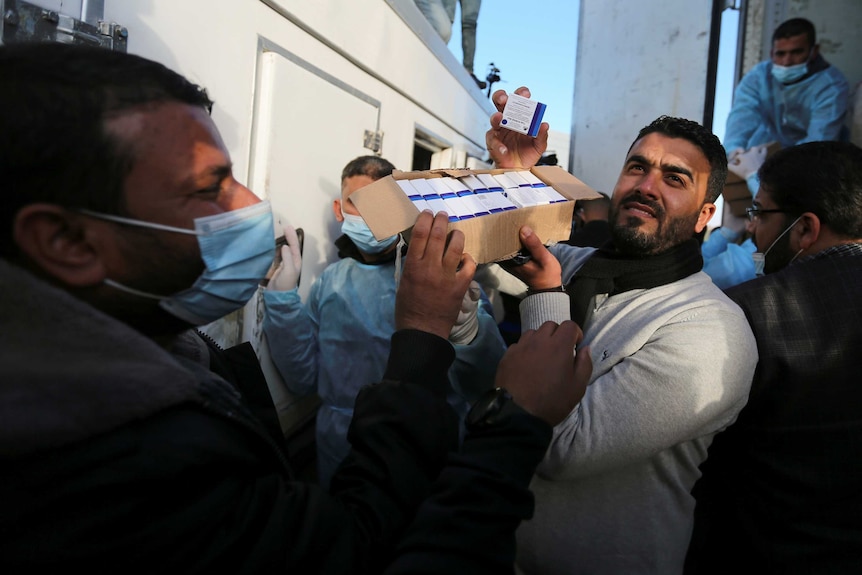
54	102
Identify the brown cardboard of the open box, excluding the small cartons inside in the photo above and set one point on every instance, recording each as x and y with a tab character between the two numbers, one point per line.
388	211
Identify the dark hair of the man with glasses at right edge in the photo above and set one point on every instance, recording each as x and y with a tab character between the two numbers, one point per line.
824	178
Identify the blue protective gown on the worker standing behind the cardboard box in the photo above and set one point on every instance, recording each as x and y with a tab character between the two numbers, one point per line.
339	341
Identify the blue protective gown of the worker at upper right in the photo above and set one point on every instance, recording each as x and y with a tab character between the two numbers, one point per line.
765	110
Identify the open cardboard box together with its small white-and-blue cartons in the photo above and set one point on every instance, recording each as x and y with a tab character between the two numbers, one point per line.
491	234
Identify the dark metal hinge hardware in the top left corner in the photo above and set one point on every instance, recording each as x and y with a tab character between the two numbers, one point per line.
26	22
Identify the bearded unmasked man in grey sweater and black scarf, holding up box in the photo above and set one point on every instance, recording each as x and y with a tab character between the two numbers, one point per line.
672	359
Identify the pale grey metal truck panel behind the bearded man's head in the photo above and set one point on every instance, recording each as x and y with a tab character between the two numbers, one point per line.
636	60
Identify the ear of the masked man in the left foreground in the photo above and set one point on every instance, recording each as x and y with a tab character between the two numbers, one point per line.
56	241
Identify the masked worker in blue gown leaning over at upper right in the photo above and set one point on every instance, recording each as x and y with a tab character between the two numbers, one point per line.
794	97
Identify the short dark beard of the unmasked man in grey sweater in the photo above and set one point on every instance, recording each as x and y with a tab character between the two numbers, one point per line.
629	239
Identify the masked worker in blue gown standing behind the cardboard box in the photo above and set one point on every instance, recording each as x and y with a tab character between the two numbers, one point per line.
338	340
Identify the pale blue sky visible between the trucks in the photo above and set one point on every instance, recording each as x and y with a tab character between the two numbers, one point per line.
534	44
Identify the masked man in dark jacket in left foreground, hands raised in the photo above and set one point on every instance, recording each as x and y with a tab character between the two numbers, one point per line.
124	450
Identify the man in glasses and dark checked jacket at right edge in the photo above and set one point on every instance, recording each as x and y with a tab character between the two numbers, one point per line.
781	490
